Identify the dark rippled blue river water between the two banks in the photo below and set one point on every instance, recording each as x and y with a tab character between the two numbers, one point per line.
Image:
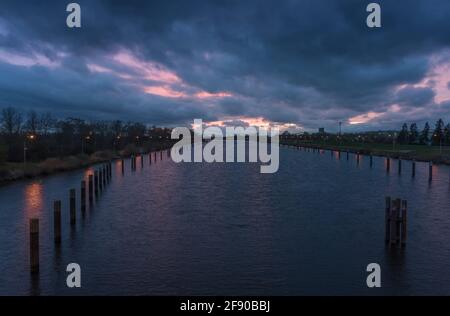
226	229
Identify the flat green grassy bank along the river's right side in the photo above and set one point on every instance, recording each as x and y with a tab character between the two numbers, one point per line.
424	153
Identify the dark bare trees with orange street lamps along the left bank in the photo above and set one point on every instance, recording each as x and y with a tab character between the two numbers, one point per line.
36	136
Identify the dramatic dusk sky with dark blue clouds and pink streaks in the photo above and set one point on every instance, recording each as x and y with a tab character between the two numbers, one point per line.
300	64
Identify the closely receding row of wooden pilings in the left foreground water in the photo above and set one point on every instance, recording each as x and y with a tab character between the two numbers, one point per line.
96	185
